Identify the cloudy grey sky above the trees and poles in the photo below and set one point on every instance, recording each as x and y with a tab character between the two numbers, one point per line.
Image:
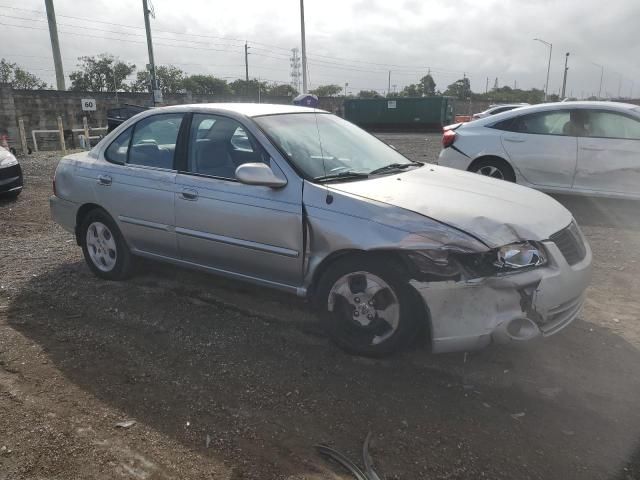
348	41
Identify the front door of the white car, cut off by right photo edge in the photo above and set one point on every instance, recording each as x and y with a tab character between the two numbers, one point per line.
609	154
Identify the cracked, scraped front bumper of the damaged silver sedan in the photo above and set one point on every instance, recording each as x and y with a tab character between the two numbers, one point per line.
516	307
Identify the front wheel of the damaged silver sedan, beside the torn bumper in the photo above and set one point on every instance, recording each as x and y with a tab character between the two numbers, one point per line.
368	307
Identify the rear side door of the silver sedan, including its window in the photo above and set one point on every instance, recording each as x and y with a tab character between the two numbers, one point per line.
137	185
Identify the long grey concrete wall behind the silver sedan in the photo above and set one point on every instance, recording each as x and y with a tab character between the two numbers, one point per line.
40	109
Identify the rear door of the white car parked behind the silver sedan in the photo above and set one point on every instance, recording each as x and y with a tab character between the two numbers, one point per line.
538	147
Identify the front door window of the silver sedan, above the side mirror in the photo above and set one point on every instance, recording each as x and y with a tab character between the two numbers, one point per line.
218	145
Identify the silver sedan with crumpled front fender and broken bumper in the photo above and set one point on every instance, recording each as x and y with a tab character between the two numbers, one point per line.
300	200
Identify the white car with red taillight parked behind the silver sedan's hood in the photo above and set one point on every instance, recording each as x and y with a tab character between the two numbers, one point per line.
588	148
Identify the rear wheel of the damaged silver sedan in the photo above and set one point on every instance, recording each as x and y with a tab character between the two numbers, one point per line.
103	246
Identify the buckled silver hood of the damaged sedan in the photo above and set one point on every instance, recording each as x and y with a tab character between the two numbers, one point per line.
494	211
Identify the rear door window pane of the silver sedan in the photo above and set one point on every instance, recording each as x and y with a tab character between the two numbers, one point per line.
154	141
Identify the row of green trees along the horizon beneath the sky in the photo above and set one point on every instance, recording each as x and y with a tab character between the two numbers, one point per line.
107	73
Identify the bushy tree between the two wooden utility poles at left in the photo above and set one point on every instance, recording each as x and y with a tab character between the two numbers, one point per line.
102	73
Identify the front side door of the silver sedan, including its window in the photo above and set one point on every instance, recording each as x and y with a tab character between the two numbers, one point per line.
244	230
